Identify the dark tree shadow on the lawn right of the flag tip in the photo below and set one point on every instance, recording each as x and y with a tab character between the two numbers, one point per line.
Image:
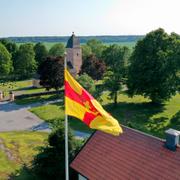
138	115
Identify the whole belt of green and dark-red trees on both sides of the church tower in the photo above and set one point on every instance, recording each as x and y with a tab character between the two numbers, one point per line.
151	69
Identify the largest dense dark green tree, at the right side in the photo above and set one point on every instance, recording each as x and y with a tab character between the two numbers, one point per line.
153	69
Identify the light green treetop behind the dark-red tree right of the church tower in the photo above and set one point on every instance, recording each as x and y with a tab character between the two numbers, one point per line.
97	47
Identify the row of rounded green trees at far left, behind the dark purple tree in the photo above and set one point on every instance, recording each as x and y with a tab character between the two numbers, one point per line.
22	62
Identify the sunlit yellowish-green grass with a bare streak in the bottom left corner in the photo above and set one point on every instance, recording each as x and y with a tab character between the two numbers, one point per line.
22	146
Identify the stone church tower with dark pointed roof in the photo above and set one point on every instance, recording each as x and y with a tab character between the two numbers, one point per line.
74	54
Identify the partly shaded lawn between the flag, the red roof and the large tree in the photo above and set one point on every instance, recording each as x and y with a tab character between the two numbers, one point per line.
140	114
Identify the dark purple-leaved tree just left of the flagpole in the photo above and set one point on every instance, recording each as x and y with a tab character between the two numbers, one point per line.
51	73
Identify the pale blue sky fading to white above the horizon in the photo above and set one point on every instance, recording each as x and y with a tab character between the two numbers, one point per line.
87	17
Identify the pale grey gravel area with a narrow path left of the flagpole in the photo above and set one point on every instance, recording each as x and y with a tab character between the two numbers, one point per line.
15	117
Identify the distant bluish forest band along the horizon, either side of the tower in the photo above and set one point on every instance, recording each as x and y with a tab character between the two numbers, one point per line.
83	39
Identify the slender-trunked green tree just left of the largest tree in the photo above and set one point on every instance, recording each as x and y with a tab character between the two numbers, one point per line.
115	58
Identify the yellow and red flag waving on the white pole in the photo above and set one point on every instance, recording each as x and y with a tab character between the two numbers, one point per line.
80	104
